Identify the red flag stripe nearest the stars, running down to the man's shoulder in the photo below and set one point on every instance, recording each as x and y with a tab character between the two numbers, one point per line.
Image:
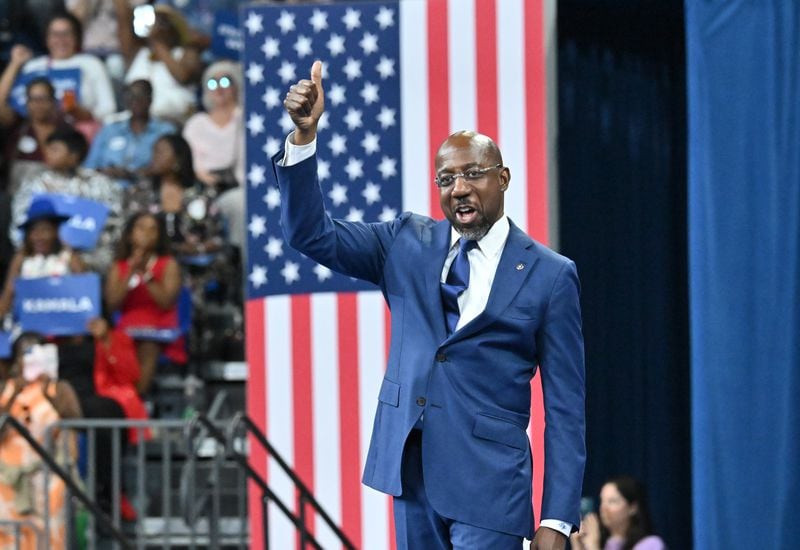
438	89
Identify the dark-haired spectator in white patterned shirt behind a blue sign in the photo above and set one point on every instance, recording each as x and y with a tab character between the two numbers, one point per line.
64	152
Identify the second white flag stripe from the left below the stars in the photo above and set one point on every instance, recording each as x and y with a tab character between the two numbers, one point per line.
325	398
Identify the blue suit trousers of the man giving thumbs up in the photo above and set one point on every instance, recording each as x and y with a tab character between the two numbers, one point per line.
419	527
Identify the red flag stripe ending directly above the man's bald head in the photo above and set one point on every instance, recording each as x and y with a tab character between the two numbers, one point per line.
486	66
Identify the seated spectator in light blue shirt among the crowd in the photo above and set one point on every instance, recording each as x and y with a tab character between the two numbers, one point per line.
124	148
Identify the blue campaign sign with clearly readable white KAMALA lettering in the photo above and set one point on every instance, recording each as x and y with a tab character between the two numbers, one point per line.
57	306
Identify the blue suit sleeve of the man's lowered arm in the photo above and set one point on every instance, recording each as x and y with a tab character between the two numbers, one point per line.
561	363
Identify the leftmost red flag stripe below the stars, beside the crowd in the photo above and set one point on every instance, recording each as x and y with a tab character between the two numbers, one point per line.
256	392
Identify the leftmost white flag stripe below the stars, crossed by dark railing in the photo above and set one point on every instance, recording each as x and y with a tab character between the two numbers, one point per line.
279	412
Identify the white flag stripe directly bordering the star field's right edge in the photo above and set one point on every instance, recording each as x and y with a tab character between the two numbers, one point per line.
414	106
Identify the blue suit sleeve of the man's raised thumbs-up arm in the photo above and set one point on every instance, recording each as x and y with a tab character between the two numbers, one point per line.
351	248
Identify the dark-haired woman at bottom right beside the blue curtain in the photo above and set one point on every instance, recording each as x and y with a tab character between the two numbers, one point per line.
624	522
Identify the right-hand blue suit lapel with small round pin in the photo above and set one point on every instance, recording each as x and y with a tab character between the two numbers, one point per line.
516	264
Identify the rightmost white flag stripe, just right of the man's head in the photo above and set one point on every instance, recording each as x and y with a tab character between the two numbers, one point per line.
511	104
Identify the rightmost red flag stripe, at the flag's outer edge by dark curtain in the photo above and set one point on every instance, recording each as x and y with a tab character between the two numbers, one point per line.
536	153
